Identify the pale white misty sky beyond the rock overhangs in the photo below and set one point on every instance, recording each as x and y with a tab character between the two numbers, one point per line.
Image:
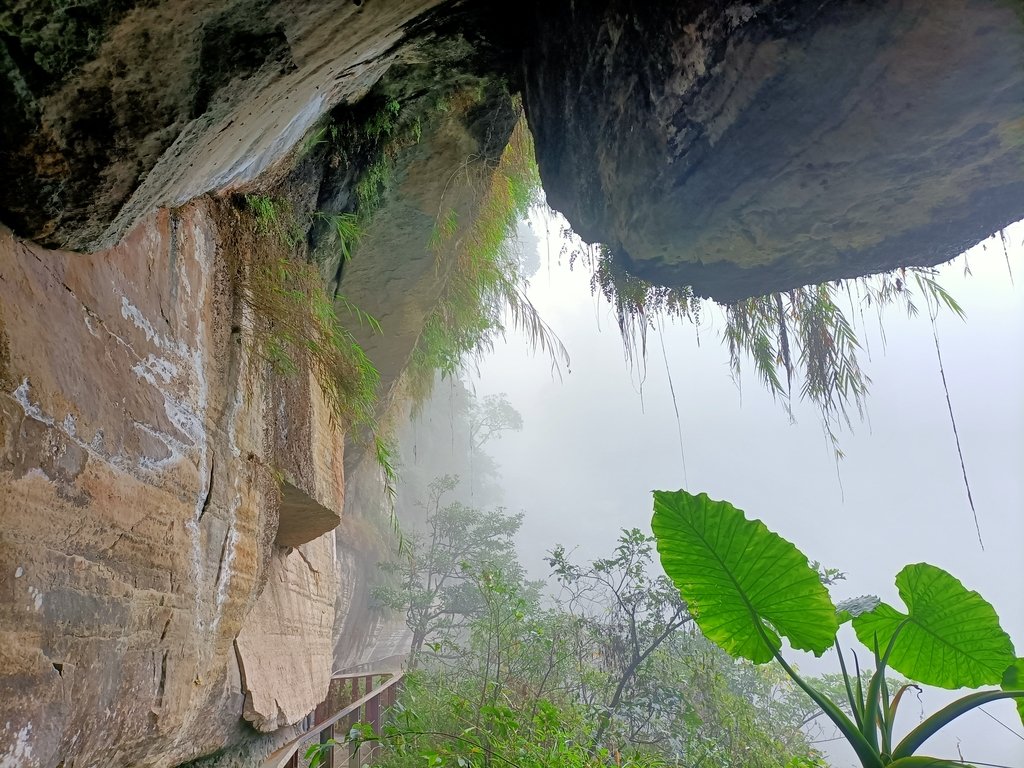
592	449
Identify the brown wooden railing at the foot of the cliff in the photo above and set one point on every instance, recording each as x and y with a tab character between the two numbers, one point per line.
352	700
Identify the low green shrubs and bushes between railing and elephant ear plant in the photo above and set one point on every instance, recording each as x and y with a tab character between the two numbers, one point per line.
526	686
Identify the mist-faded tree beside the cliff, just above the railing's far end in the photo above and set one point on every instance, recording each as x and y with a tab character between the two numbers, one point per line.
437	584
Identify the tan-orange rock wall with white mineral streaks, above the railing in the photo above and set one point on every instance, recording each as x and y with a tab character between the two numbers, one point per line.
141	506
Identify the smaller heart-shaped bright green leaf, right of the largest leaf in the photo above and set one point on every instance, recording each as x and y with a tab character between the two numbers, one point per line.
951	637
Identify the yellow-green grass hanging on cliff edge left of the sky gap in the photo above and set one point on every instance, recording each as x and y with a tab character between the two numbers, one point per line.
486	282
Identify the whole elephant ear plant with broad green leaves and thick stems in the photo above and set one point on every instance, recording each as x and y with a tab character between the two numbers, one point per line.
950	636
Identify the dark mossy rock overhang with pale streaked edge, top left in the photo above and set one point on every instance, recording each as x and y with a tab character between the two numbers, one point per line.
118	109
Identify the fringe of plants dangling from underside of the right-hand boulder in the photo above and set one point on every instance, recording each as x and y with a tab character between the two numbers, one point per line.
800	336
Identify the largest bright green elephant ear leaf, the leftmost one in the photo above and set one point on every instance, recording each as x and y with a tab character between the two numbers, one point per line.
745	585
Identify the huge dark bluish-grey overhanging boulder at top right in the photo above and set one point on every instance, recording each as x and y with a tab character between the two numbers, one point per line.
749	148
